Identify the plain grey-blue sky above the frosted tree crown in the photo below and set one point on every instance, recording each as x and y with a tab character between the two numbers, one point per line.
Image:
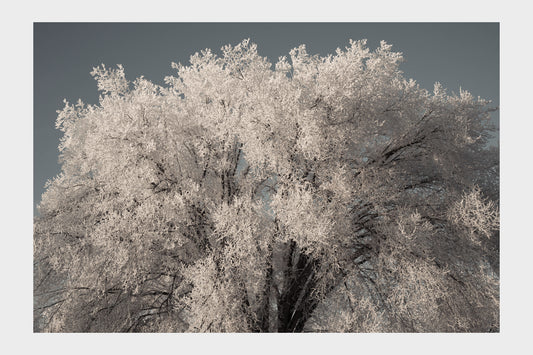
457	55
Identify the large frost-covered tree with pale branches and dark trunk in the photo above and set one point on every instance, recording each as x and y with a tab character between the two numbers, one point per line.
321	194
